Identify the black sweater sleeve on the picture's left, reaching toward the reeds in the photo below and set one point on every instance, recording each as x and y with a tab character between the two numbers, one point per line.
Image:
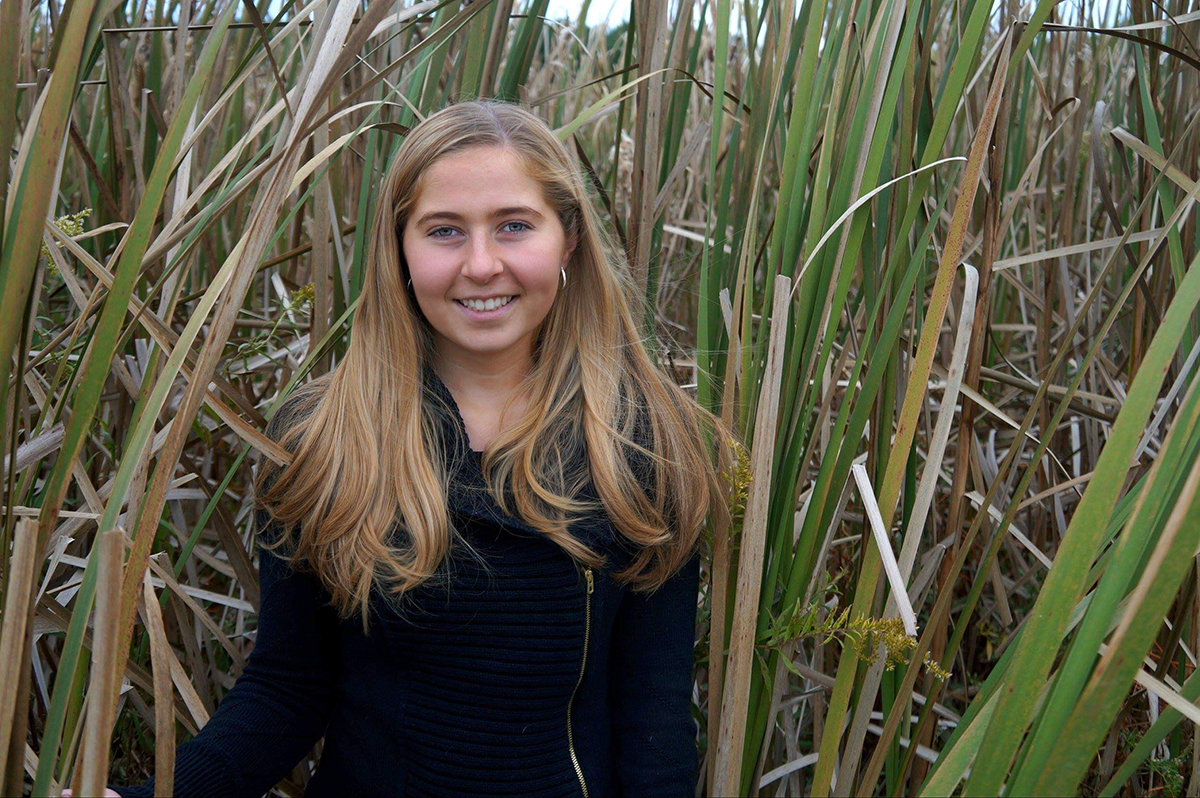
280	706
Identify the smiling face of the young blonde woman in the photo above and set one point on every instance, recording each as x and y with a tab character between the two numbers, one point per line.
482	231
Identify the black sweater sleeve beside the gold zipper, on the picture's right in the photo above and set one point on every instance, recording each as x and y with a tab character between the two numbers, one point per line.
651	677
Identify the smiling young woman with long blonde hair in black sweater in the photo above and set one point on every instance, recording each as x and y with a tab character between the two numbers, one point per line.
479	572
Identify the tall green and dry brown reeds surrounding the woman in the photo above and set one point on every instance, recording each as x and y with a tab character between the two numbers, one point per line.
934	260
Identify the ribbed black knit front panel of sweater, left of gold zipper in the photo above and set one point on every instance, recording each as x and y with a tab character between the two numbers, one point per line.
491	662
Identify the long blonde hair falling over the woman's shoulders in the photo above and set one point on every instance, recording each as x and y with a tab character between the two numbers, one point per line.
367	454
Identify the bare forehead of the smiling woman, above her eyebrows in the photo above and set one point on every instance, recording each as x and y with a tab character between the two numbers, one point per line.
477	179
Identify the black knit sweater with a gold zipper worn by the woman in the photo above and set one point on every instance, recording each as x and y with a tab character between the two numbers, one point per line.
525	676
